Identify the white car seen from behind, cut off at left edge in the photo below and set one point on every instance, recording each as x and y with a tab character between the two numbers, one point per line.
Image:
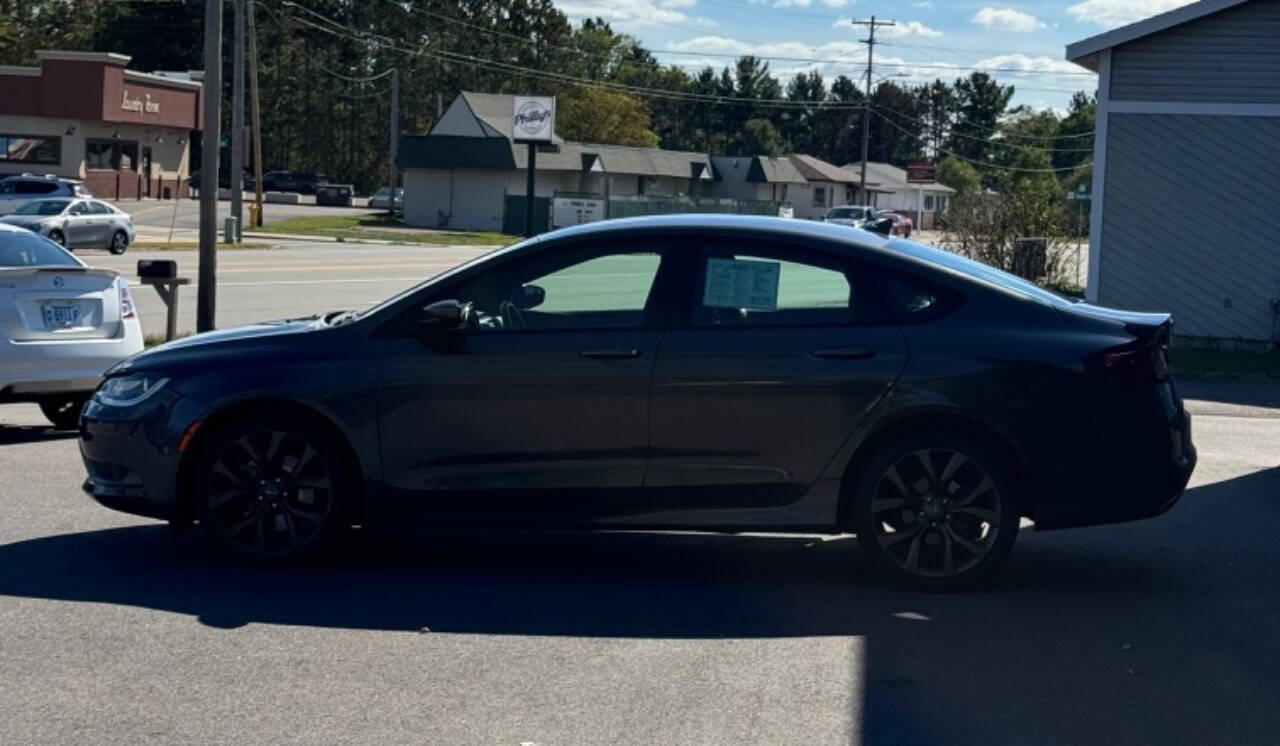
62	326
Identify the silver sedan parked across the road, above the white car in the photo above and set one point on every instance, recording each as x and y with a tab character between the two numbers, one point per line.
77	223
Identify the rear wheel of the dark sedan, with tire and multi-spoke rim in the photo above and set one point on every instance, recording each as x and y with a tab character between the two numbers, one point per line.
938	502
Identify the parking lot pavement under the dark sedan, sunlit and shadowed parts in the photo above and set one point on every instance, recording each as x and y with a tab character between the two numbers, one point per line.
1153	633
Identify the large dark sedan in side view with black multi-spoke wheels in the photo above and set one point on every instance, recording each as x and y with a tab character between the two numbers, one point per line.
665	373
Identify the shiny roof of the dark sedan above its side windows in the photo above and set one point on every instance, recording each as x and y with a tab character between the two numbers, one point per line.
756	225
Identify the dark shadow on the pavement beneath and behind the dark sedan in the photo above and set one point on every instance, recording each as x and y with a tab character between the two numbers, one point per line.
1160	631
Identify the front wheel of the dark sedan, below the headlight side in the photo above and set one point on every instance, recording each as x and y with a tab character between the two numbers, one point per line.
273	489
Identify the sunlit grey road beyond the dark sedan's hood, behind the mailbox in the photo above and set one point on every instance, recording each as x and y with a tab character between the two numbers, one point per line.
298	280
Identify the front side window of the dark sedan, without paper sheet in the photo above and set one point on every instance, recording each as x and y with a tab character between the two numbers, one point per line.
568	290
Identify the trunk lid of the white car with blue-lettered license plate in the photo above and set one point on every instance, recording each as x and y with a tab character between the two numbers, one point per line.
54	304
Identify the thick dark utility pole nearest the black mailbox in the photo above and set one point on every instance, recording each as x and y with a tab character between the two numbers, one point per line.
207	294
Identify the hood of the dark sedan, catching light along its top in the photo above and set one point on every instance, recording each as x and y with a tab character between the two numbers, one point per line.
202	349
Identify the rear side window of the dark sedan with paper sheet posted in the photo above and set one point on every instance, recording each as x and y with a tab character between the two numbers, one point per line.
749	287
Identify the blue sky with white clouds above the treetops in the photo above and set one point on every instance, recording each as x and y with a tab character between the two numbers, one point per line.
932	39
